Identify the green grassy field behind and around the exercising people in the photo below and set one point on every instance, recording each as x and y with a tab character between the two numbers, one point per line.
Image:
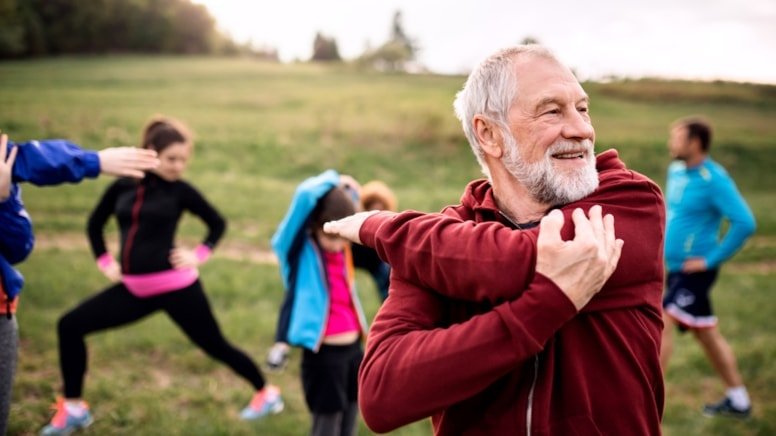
262	128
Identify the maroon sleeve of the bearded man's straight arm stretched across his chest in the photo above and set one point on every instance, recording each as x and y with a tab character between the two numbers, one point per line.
489	262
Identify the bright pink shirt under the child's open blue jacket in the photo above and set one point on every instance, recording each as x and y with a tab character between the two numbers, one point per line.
342	315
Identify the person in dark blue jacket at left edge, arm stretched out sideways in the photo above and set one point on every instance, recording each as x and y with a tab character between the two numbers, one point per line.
42	163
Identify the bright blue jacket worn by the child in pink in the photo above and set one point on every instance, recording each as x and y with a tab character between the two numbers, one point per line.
304	313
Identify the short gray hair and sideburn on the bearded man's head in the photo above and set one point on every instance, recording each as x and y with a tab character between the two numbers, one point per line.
490	90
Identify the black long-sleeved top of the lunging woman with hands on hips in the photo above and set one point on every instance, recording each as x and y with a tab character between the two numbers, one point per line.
148	212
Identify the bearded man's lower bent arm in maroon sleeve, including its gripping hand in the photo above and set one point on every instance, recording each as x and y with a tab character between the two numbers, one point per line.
417	363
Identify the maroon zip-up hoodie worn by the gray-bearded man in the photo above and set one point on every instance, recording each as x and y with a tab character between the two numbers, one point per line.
473	337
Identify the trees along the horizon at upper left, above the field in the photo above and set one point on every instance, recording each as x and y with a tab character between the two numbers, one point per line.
30	28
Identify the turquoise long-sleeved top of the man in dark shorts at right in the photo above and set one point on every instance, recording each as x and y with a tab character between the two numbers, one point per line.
697	201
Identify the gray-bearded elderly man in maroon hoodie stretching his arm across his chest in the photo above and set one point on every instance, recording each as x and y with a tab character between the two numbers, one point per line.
483	329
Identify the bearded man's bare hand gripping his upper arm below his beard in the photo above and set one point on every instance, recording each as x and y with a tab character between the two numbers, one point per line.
579	267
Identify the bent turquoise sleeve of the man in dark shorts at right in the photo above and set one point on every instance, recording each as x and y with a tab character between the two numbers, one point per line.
730	204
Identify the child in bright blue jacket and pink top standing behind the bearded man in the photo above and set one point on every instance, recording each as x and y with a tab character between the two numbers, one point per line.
321	312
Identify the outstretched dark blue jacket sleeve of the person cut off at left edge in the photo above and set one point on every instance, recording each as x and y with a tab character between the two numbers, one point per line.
55	161
